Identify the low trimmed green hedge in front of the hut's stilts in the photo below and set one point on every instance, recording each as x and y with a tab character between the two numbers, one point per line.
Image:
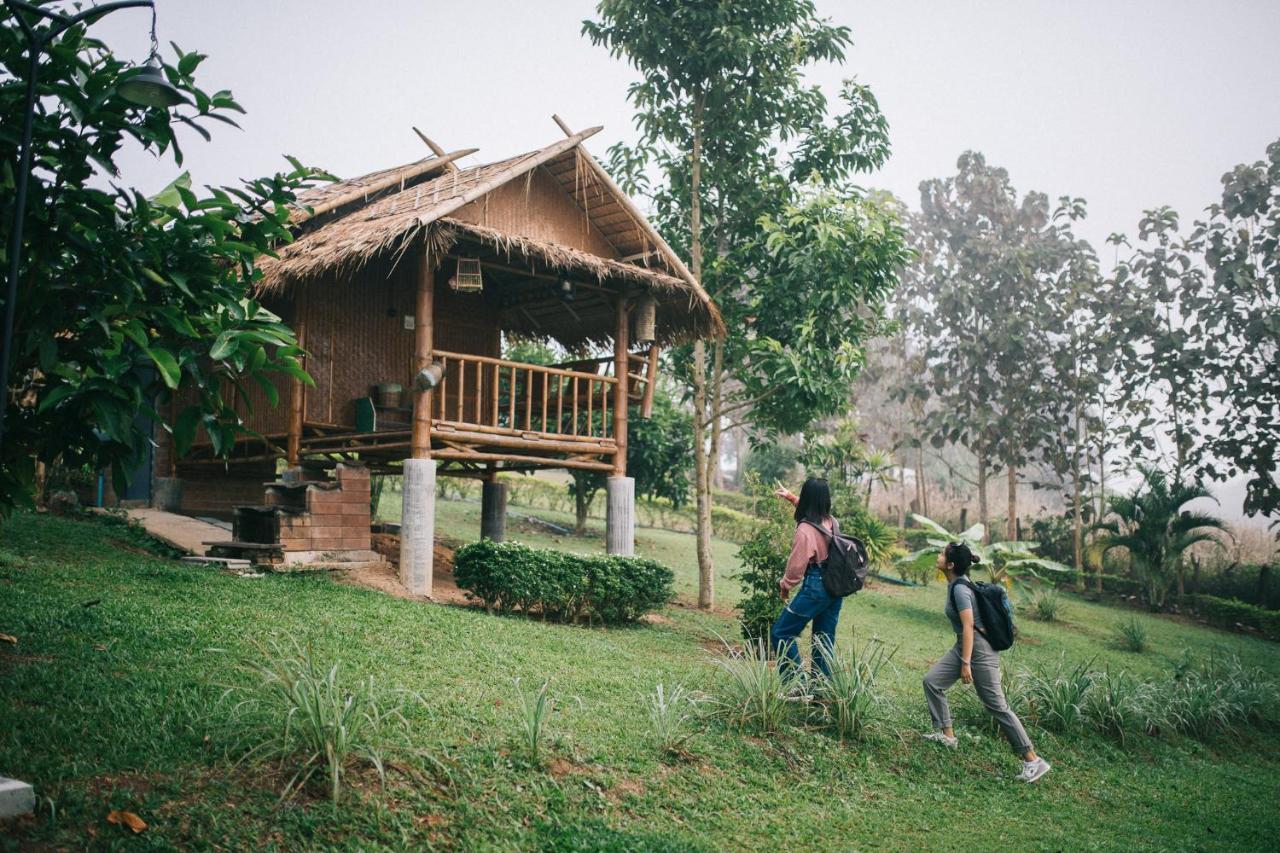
564	587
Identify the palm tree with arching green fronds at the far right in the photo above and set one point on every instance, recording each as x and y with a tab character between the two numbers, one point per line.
1156	532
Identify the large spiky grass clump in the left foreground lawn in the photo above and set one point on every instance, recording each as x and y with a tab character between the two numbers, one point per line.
301	714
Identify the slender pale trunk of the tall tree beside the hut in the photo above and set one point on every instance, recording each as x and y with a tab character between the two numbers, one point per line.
702	467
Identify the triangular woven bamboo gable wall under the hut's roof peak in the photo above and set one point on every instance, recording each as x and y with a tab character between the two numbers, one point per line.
540	209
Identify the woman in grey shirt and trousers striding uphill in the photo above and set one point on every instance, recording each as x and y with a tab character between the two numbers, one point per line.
973	662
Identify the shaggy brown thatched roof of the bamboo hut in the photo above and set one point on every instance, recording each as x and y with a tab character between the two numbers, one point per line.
342	227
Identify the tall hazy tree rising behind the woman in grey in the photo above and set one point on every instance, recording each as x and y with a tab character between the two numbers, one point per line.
980	314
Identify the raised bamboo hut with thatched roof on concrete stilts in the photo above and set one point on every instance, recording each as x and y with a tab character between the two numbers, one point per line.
410	279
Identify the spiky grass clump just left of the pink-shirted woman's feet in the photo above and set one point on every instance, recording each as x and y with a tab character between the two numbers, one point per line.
752	692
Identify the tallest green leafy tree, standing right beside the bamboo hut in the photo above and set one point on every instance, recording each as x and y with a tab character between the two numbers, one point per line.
721	89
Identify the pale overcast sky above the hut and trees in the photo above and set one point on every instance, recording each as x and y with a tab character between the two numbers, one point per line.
1127	103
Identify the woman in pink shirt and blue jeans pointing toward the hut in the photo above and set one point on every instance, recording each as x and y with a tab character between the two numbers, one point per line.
803	574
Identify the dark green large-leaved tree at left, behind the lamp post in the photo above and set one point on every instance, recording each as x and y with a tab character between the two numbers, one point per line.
127	302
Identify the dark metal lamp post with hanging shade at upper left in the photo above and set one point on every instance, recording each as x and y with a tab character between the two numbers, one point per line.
147	89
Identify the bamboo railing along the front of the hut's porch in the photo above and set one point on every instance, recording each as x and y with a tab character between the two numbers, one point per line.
483	395
